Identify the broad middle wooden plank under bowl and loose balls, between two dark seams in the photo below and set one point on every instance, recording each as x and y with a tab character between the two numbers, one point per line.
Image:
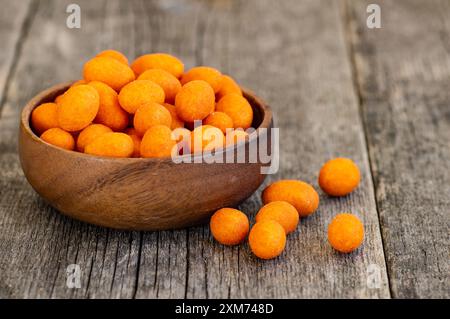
294	56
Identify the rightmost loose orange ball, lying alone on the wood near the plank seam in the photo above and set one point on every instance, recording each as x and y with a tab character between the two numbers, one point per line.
345	232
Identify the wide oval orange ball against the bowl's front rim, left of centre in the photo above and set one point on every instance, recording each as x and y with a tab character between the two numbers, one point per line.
111	145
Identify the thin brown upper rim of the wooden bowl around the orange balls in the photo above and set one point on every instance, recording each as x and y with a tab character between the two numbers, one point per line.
27	110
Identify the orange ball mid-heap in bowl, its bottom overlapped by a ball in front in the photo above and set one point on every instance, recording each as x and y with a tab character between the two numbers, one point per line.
151	114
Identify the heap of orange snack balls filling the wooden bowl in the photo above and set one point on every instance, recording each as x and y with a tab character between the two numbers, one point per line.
132	110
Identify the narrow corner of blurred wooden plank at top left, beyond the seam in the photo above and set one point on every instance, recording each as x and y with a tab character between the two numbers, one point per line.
13	22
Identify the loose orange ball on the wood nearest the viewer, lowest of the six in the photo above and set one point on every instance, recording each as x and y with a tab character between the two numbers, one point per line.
267	239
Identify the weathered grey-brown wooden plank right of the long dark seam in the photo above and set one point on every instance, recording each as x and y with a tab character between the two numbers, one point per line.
403	78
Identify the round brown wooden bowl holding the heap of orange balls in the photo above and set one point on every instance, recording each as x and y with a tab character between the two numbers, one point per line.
137	193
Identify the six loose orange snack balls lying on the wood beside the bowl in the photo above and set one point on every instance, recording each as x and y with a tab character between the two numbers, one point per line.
285	202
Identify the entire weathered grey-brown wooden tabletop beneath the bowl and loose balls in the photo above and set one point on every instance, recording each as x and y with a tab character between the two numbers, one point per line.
338	88
